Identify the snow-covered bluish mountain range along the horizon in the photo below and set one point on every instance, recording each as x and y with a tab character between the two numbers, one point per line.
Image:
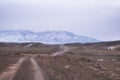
47	37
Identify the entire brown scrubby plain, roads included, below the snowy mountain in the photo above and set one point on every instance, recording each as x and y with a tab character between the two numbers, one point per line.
36	61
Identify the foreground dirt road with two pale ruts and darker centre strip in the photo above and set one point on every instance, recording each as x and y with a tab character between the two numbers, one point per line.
25	69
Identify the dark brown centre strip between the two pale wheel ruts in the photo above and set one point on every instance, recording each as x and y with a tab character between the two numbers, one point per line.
25	72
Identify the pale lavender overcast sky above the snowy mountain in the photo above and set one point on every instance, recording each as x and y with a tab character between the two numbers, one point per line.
94	18
